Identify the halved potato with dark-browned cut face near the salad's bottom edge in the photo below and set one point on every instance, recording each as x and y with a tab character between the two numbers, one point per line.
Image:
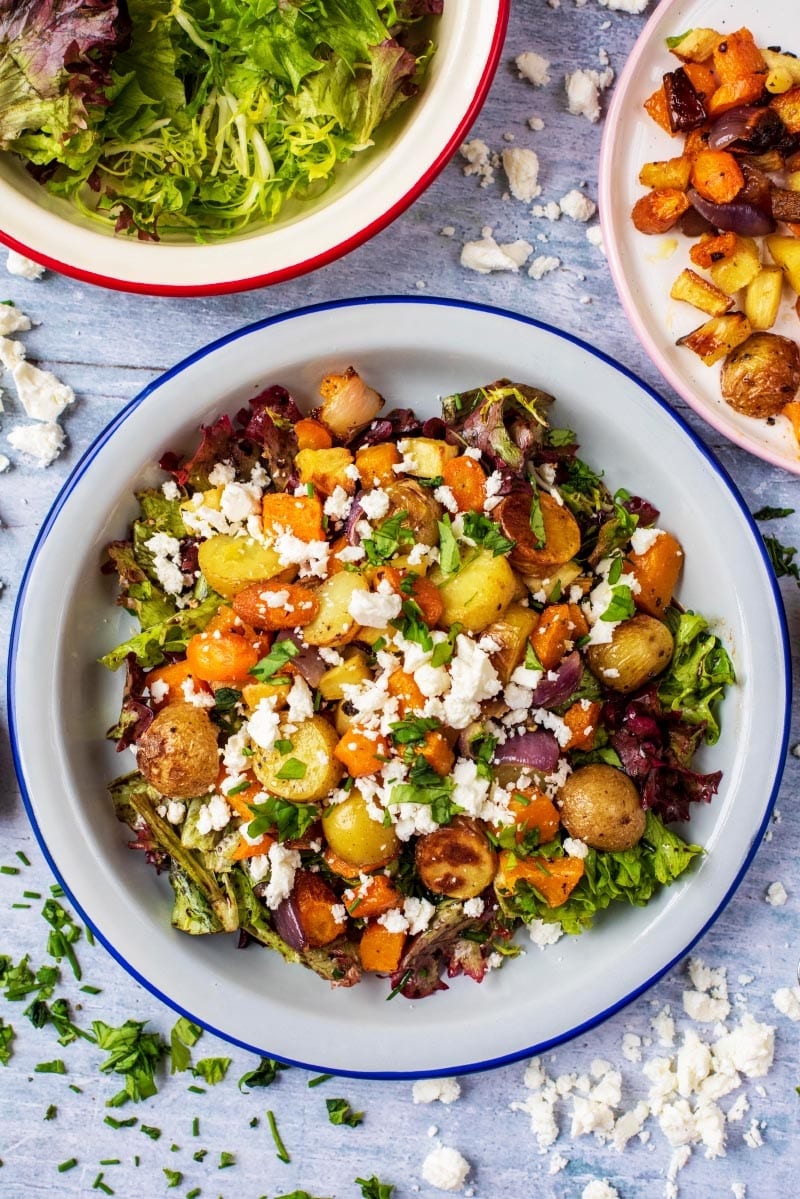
456	860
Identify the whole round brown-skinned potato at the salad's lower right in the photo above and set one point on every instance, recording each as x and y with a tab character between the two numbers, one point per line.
601	806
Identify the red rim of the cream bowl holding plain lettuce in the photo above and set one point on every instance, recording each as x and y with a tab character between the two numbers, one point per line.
326	257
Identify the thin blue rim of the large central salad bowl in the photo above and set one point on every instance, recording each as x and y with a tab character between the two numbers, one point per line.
299	314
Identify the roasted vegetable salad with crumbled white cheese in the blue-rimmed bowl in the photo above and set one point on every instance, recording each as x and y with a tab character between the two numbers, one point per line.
404	688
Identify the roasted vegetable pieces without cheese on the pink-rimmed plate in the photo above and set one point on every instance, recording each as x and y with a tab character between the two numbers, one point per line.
733	186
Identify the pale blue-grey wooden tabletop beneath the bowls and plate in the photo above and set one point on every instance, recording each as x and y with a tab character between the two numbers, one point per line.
109	347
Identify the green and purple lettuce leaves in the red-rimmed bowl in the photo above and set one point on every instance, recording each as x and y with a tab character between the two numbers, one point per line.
175	117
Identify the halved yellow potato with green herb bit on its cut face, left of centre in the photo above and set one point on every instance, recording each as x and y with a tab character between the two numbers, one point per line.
312	748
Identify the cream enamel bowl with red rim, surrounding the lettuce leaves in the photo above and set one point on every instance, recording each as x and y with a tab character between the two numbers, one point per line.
365	195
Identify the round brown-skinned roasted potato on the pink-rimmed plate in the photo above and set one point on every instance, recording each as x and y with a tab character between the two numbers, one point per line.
762	375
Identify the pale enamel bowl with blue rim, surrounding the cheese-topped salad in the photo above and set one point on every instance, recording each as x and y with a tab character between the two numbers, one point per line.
413	352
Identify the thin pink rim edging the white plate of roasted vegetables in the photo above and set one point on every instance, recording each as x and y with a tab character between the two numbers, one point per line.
609	152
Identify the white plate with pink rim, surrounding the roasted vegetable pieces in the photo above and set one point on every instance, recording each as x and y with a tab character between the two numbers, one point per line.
643	267
